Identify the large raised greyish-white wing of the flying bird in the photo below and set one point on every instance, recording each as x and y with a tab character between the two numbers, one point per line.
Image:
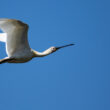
16	40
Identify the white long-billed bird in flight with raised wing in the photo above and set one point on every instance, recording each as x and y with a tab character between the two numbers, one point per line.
17	46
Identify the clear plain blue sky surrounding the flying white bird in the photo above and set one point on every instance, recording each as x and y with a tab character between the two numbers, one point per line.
74	78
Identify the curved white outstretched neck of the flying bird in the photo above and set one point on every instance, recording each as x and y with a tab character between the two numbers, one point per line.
41	54
